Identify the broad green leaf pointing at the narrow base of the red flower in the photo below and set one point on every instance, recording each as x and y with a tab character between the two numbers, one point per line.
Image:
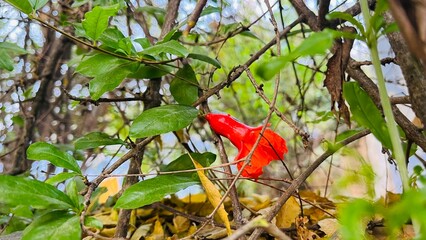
162	119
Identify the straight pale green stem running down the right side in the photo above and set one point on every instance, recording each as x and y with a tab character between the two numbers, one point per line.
384	98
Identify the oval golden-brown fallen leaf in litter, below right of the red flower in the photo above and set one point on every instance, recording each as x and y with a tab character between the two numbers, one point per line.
288	212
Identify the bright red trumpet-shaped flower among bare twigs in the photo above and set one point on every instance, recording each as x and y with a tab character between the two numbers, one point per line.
271	146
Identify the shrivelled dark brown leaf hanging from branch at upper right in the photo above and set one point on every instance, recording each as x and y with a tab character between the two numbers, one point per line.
336	73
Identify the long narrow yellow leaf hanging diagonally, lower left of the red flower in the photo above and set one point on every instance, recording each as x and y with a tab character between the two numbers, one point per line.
213	195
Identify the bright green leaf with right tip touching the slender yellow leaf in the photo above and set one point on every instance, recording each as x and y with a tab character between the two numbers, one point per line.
153	190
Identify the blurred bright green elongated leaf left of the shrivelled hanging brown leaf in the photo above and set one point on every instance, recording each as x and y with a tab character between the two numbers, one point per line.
316	43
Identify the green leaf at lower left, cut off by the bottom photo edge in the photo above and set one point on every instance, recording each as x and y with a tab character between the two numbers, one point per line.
55	225
